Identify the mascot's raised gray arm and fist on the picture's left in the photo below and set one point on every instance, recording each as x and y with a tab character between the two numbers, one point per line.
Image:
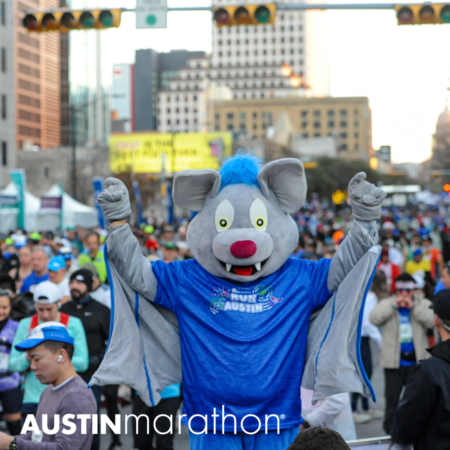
123	248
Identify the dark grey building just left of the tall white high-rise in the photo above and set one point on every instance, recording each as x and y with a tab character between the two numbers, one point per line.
153	72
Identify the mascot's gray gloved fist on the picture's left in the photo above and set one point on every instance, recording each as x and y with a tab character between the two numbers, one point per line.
115	200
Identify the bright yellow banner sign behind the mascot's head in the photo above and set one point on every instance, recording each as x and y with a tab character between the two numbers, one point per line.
147	152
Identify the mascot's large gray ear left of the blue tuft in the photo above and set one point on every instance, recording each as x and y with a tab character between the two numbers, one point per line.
191	187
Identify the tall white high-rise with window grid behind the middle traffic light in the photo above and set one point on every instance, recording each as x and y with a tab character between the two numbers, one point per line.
253	55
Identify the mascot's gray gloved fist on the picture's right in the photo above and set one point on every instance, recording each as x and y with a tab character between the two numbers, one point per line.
366	199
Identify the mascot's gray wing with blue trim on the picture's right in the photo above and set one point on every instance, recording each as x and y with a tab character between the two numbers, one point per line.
333	361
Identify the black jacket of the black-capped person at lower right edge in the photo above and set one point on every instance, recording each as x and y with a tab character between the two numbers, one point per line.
423	415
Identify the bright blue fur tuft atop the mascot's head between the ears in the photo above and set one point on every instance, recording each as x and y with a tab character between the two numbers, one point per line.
241	169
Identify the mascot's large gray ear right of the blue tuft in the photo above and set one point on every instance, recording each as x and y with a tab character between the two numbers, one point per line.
286	179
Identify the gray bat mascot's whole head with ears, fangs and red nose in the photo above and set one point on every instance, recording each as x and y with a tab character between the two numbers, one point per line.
243	230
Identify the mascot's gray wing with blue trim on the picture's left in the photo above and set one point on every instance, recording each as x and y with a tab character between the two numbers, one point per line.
144	345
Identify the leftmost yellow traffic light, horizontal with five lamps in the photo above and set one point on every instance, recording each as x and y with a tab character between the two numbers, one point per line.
65	20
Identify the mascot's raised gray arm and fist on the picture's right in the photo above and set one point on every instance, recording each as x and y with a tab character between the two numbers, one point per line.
366	200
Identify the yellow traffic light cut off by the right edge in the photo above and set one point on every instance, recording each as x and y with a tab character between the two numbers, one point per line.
423	14
